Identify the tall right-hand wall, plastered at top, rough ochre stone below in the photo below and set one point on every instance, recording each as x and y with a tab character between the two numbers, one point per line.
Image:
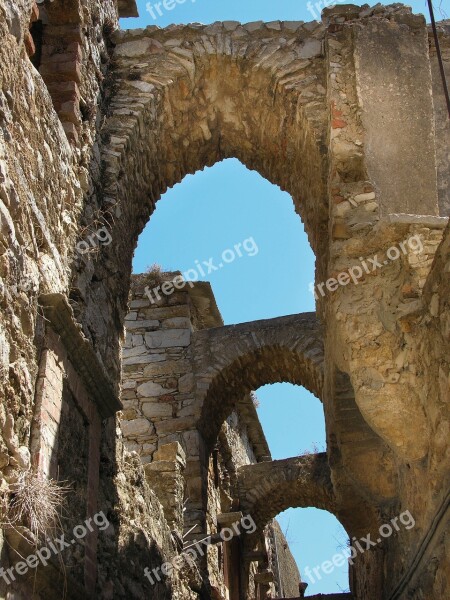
374	326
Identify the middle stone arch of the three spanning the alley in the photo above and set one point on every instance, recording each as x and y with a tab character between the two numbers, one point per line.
234	360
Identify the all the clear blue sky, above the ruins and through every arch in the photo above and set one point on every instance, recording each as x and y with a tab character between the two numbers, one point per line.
209	213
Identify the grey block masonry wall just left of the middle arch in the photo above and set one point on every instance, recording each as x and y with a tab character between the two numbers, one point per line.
157	381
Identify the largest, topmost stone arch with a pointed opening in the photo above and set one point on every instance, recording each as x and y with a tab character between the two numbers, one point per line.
190	96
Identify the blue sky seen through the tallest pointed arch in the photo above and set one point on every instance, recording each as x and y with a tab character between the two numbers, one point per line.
207	215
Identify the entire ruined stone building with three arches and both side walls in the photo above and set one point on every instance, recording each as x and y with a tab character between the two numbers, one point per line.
145	408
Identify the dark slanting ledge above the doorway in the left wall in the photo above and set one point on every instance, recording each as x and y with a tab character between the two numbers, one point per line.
80	352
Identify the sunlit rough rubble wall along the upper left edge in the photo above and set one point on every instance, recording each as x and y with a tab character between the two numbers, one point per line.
43	180
